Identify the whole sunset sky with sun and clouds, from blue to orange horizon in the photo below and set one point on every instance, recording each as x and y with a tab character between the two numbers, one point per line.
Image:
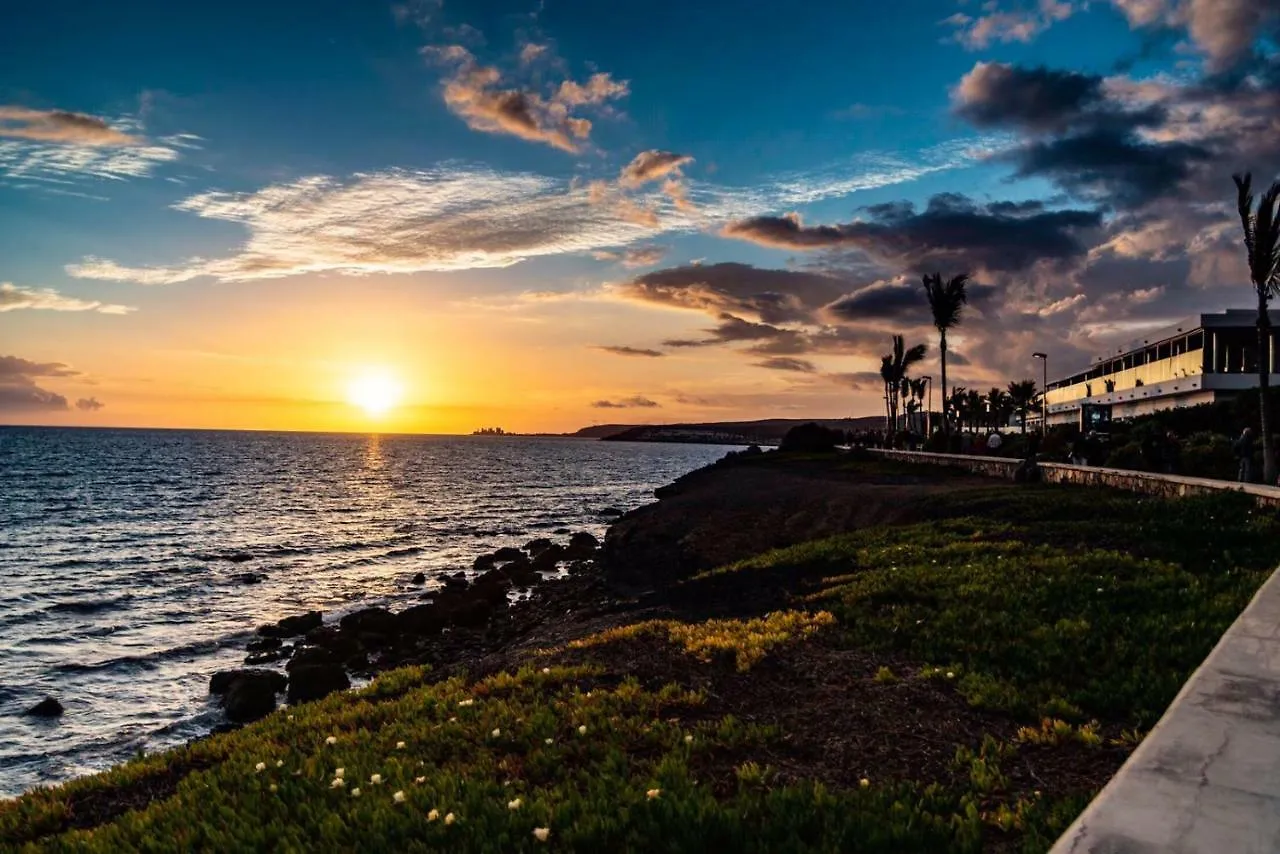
438	216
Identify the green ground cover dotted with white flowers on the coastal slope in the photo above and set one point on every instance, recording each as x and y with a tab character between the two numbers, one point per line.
1064	619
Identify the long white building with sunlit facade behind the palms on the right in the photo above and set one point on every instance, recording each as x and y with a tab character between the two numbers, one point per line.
1201	360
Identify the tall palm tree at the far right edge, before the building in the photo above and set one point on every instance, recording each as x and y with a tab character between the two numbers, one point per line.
1263	250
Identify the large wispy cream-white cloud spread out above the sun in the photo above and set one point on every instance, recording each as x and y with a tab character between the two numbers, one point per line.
452	218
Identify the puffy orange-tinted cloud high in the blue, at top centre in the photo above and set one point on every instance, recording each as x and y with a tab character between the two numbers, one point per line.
476	94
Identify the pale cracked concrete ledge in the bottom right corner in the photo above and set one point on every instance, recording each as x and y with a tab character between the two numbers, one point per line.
1208	778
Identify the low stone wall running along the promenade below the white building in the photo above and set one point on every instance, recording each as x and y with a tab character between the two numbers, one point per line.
1141	482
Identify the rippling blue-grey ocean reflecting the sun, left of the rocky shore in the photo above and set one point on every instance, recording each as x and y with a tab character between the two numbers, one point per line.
124	556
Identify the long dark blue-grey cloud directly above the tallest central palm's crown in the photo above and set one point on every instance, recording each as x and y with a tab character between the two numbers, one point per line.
953	232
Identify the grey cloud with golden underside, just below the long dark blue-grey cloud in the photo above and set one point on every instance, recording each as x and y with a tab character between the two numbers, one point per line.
774	296
